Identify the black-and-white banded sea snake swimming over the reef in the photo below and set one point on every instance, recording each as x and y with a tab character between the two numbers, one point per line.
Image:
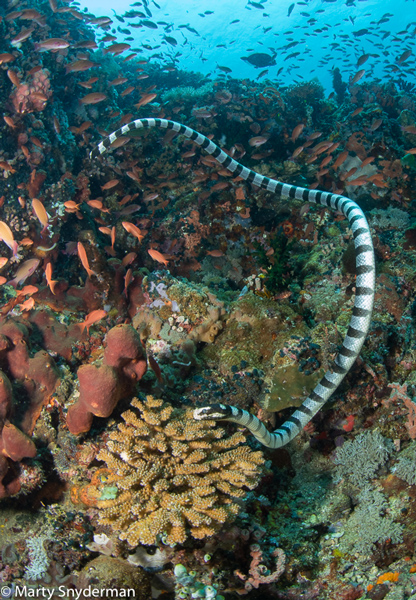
364	292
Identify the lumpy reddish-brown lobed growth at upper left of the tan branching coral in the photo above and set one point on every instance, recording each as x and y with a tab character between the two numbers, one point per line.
102	387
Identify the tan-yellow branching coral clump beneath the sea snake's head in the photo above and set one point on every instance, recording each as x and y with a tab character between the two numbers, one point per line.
175	476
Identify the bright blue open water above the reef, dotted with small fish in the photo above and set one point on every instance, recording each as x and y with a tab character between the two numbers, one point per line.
321	34
